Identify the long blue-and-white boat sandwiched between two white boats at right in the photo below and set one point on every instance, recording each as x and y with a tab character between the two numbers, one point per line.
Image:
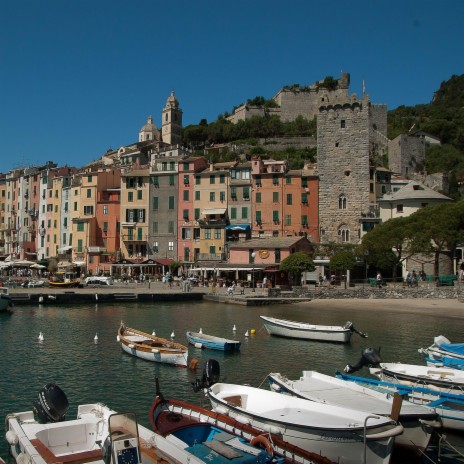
449	406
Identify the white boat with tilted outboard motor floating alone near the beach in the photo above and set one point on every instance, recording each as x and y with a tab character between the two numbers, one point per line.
306	331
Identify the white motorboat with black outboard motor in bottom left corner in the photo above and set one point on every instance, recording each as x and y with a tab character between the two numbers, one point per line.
98	435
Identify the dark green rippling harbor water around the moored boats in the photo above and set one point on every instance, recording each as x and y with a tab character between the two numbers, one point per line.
90	371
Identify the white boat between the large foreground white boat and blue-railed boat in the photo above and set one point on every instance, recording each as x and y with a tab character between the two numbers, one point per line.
418	422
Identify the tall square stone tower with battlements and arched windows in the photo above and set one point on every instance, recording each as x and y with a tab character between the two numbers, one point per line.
344	133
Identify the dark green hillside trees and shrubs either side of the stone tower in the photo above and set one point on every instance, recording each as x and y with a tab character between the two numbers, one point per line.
443	117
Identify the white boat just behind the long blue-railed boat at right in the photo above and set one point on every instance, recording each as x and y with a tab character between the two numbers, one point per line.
441	378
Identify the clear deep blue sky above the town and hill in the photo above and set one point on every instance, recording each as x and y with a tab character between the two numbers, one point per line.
80	76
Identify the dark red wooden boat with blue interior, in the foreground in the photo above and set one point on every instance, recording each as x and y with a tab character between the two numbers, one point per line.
200	430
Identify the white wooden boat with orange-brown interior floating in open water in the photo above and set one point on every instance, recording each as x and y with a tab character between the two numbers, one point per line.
151	347
